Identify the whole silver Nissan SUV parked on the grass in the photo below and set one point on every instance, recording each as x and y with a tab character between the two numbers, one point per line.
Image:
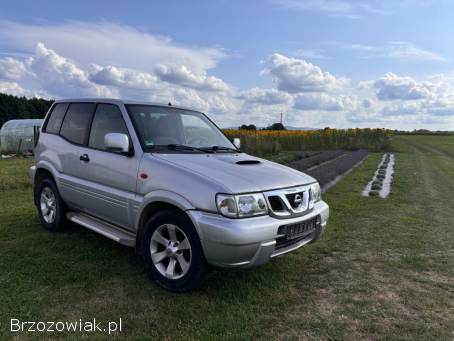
168	182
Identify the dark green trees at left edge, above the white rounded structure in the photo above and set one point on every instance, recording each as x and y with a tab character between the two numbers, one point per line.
13	107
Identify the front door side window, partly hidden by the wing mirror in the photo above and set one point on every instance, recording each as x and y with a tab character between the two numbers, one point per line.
108	119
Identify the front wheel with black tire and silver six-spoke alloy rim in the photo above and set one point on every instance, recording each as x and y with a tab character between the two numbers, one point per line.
180	266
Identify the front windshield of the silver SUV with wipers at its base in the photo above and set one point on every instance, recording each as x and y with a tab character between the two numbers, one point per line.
170	127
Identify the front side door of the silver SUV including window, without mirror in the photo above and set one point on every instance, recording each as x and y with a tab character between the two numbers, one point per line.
109	178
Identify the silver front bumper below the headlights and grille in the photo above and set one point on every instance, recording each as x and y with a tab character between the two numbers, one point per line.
251	241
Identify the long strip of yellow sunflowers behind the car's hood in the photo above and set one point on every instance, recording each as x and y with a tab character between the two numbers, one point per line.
266	142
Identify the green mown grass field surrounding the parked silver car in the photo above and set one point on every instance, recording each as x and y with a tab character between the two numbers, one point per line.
383	270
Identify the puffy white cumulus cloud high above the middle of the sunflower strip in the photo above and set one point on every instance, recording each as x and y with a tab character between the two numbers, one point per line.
294	75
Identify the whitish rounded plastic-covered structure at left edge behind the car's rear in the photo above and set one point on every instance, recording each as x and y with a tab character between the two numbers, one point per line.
16	136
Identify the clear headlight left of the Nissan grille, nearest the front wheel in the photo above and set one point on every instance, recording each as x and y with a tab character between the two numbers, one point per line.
243	205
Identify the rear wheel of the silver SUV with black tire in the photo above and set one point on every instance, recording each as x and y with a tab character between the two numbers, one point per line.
55	221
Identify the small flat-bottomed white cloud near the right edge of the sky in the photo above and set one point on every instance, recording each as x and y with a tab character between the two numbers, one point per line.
394	87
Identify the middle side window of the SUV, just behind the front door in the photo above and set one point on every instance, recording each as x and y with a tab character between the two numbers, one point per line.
77	121
